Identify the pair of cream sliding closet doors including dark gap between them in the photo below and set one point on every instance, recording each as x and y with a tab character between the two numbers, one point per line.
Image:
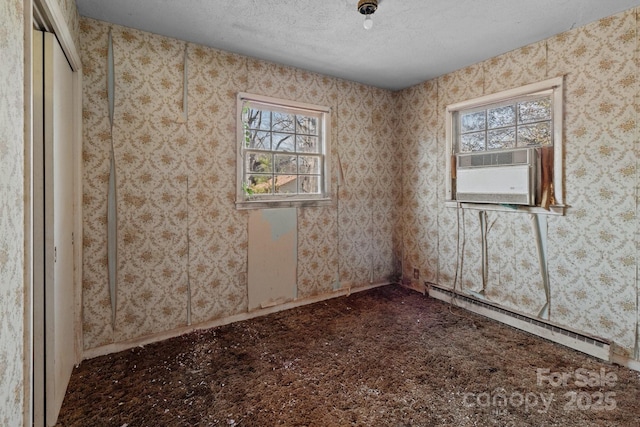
54	337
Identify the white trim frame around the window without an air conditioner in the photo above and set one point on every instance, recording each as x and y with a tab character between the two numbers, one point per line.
295	200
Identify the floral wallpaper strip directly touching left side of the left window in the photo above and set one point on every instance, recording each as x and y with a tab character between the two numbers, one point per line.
218	241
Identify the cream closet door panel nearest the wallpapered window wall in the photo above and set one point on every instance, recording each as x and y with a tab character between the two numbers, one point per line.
58	155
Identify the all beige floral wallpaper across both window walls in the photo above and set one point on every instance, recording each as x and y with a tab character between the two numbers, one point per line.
183	245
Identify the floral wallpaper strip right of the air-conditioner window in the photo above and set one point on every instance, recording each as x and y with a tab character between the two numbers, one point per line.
601	234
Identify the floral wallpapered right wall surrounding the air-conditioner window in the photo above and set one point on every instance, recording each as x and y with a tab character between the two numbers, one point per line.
592	250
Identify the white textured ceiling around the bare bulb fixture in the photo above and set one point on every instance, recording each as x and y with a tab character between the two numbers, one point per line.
411	40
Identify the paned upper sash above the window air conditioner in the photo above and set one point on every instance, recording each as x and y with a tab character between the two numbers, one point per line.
523	122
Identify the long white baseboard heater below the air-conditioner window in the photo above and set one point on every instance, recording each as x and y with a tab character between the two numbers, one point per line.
587	344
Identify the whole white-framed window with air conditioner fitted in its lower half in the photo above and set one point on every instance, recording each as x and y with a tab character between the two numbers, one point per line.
506	148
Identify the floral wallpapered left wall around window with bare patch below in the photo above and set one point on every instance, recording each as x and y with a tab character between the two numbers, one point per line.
179	233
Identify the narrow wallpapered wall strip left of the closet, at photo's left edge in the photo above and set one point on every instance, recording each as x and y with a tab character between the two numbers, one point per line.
12	257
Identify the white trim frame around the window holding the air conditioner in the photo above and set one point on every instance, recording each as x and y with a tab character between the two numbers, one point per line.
556	85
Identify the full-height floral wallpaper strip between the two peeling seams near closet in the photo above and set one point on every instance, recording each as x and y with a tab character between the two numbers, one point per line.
152	184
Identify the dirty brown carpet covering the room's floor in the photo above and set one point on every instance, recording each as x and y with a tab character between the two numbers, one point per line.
383	357
